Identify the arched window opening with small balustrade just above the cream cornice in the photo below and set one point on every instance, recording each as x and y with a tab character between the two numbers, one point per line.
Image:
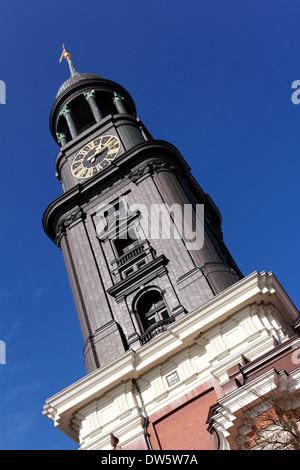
152	314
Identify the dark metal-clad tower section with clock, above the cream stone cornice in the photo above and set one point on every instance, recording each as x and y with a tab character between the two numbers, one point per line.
128	286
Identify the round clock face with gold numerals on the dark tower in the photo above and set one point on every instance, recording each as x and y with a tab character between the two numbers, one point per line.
95	156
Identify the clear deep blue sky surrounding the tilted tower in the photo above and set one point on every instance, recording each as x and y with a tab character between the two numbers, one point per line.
212	77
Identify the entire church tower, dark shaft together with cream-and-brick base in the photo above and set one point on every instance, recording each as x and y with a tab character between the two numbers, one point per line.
149	272
